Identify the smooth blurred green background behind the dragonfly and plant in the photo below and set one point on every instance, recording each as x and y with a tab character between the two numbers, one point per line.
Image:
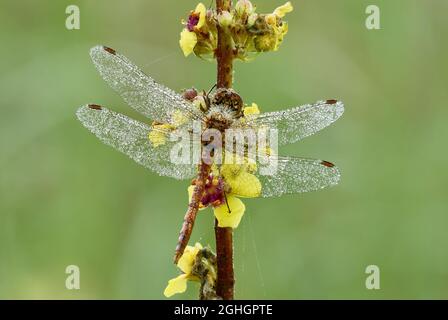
65	198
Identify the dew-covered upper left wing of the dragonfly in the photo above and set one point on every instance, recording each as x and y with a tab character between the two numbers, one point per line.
140	91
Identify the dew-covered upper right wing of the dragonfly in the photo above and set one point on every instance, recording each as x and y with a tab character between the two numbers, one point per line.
300	122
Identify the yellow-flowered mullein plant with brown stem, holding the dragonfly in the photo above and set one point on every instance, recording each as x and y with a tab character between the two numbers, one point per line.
247	34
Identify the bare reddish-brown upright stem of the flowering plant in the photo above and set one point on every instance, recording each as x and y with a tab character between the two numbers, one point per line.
224	236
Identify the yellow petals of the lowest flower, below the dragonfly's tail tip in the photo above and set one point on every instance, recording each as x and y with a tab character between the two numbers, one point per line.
185	264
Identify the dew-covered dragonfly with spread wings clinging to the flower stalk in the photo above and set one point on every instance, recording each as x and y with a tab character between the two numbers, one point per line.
222	110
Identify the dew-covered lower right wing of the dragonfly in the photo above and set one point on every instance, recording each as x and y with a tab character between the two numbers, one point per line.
289	175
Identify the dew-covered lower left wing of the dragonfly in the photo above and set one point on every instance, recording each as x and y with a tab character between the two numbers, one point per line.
131	138
